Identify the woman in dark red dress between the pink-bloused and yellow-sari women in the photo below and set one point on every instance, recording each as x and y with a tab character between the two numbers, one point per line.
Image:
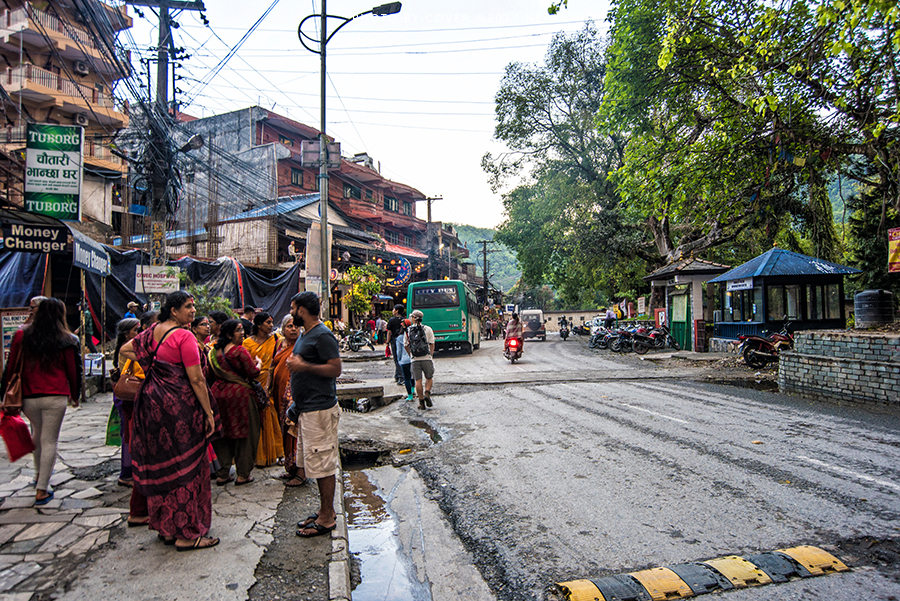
231	369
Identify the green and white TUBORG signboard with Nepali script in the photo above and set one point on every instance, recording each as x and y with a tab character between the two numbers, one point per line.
53	160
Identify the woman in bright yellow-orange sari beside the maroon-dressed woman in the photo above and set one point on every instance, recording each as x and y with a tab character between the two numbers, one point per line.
263	345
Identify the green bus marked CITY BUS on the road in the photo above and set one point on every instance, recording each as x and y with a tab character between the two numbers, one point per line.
450	310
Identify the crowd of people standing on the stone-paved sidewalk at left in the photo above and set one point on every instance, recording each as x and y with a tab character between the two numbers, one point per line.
208	395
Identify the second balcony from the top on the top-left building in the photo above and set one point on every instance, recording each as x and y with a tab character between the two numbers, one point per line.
34	85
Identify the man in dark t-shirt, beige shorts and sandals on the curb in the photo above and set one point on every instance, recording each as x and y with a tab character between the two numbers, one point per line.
315	366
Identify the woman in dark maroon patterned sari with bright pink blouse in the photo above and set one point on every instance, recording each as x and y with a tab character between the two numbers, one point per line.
174	416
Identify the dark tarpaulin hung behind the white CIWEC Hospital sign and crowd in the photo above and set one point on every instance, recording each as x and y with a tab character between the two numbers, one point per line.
224	277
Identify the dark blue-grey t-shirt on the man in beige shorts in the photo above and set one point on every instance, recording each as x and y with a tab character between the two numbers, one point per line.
312	392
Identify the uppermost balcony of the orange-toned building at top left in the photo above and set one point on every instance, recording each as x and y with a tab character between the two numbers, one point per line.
41	29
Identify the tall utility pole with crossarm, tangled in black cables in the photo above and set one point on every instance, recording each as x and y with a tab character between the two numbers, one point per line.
160	153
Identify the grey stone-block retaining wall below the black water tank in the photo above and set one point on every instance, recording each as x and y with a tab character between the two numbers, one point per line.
854	367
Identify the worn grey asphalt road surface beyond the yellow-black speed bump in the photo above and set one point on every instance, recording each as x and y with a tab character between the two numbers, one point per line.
594	465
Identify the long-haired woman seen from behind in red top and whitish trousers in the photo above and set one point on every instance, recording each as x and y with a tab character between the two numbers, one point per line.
51	378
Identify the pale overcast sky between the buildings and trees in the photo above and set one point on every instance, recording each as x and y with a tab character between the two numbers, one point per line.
414	90
